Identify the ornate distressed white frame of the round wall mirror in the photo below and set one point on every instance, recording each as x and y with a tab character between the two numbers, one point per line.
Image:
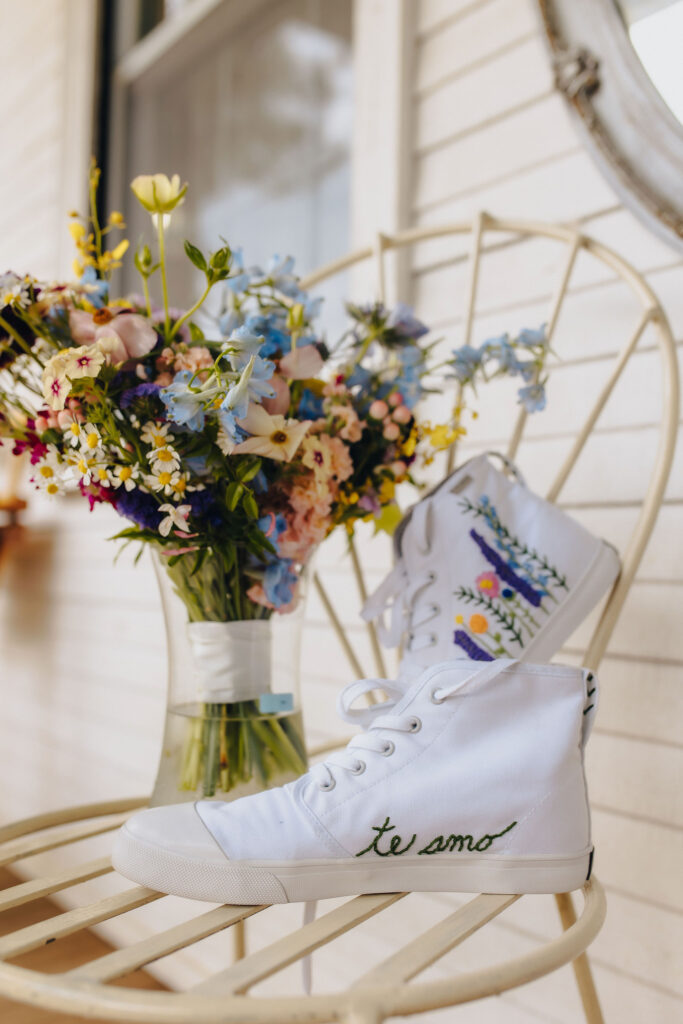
626	125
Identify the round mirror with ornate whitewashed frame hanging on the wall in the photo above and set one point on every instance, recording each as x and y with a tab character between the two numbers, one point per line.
618	63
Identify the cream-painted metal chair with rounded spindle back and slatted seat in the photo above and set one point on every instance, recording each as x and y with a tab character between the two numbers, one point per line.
388	990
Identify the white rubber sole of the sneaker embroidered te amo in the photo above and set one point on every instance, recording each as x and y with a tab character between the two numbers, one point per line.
253	882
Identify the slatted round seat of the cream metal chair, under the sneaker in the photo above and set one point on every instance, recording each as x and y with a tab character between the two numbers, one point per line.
385	991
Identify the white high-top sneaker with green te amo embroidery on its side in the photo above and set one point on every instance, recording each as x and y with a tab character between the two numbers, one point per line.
474	782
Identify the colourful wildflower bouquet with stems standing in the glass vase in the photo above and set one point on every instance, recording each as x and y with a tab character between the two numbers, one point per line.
232	444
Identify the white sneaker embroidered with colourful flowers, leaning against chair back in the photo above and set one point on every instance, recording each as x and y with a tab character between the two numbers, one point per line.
486	569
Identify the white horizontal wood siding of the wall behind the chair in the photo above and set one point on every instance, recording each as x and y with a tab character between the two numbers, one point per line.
82	661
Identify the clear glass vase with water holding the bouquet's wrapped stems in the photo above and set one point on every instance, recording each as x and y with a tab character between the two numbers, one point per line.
234	722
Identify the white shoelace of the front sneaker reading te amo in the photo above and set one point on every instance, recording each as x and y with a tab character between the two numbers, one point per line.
378	720
